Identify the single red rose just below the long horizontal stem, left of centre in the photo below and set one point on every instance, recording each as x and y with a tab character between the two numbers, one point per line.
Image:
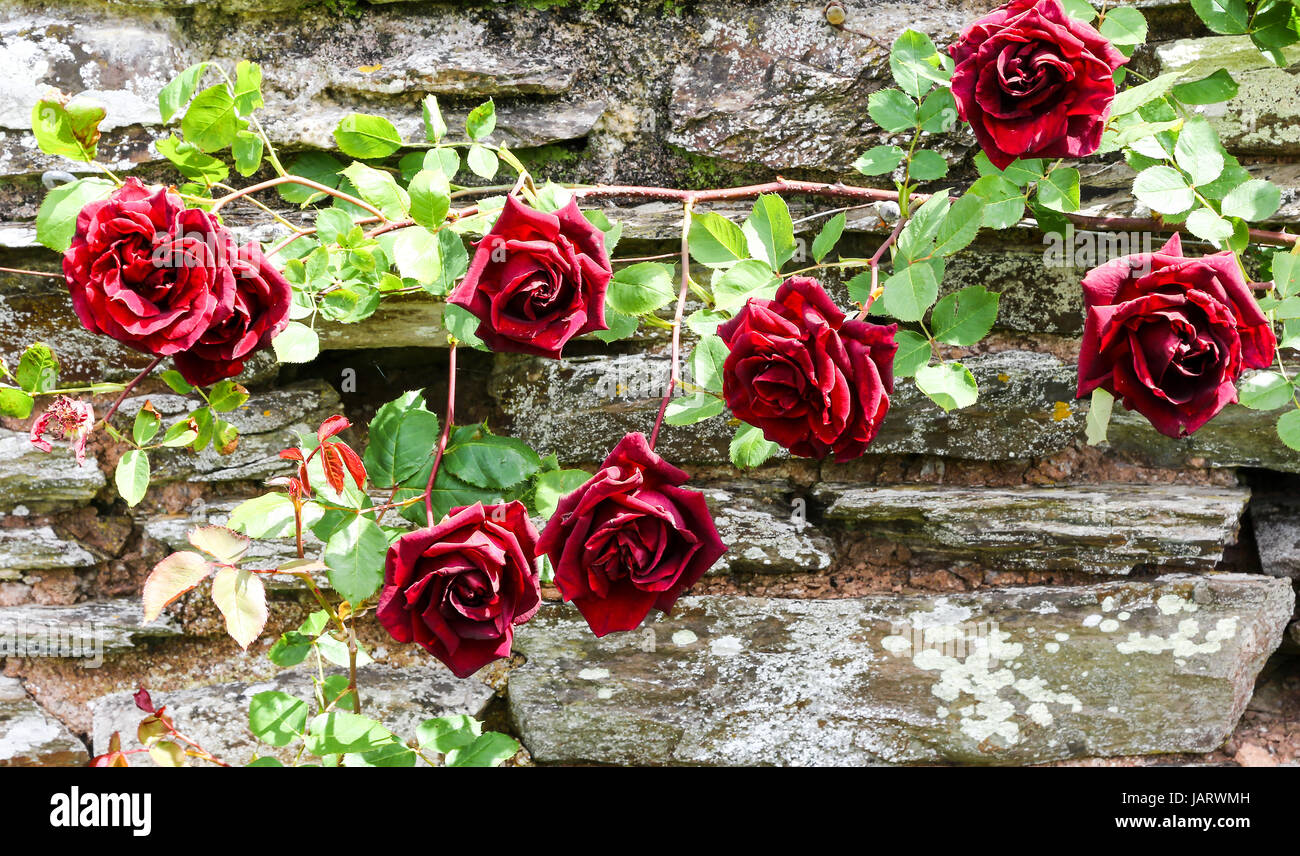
538	280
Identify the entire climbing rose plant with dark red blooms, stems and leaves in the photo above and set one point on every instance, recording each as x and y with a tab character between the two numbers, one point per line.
1169	334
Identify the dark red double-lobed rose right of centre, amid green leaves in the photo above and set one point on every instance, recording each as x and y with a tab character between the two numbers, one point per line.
813	382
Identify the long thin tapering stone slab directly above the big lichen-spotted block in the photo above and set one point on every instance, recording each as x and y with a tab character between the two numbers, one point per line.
1100	530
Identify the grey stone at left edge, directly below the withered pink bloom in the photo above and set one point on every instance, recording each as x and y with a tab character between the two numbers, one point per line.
29	475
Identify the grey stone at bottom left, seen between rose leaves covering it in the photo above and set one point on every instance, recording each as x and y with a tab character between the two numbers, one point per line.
218	716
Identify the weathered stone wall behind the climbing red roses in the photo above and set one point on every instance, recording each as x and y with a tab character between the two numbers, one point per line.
982	587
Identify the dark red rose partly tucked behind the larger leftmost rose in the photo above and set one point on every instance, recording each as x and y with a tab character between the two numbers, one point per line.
261	312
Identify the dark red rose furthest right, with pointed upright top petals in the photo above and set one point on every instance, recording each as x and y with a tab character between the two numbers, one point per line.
1171	336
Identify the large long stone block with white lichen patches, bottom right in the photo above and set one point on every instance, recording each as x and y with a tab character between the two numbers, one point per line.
995	677
